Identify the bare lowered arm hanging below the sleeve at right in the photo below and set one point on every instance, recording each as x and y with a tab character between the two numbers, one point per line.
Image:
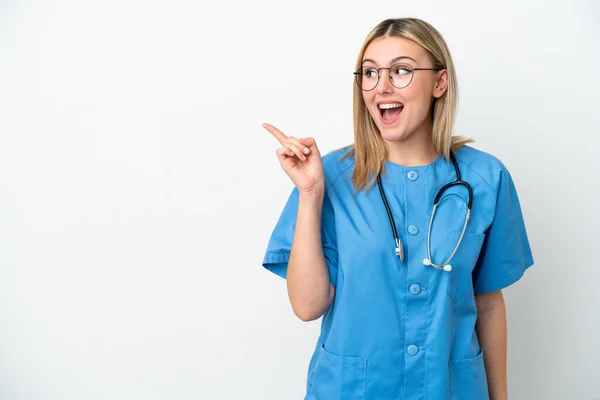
491	331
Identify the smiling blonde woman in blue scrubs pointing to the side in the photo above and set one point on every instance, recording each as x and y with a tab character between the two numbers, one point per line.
410	298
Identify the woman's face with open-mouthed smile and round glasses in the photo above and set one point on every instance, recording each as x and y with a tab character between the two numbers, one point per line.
401	113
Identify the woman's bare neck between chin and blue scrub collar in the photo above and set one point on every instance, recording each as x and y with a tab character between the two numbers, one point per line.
415	150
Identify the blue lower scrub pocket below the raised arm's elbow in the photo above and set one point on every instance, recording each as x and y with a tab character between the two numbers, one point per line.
335	377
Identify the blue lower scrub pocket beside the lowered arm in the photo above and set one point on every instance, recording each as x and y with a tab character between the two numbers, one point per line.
468	380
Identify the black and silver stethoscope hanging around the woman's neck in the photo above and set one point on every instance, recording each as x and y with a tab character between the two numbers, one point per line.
399	245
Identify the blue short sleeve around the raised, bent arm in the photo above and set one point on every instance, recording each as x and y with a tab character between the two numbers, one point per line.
280	242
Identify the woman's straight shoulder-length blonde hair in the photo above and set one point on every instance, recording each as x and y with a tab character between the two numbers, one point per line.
370	150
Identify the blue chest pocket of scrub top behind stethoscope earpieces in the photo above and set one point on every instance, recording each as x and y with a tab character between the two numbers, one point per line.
460	279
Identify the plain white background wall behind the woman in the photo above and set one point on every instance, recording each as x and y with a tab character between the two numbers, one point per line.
138	189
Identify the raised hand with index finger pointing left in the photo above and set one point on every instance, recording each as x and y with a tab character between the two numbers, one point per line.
301	161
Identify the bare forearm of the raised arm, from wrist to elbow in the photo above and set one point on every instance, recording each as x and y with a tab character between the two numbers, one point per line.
309	288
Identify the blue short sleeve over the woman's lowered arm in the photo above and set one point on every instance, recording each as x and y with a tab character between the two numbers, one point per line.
505	253
